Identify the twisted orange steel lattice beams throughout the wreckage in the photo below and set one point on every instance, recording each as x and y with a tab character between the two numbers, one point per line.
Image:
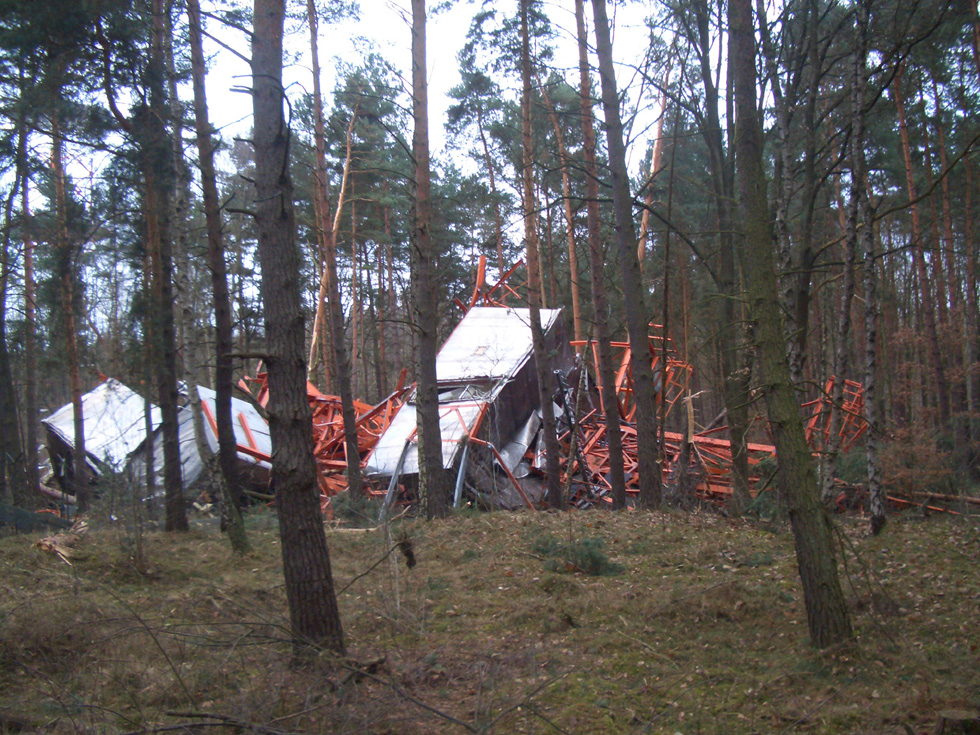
704	457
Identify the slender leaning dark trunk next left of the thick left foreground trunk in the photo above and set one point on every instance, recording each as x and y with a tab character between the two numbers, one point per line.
223	336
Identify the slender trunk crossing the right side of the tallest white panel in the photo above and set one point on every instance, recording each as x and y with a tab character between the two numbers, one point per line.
542	360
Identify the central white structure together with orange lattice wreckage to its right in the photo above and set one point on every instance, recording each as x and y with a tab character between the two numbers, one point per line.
491	426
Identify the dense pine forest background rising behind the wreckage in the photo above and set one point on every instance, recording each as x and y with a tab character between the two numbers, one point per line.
870	152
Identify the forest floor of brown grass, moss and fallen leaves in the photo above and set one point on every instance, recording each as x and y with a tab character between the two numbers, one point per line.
692	624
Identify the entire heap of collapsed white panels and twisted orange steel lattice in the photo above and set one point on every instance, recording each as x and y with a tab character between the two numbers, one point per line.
489	415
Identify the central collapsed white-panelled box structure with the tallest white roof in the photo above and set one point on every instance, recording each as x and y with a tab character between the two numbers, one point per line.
489	417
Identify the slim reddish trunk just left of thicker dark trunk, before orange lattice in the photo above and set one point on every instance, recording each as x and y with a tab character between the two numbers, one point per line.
617	479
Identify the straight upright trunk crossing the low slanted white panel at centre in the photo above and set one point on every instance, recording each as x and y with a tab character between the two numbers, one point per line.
433	487
